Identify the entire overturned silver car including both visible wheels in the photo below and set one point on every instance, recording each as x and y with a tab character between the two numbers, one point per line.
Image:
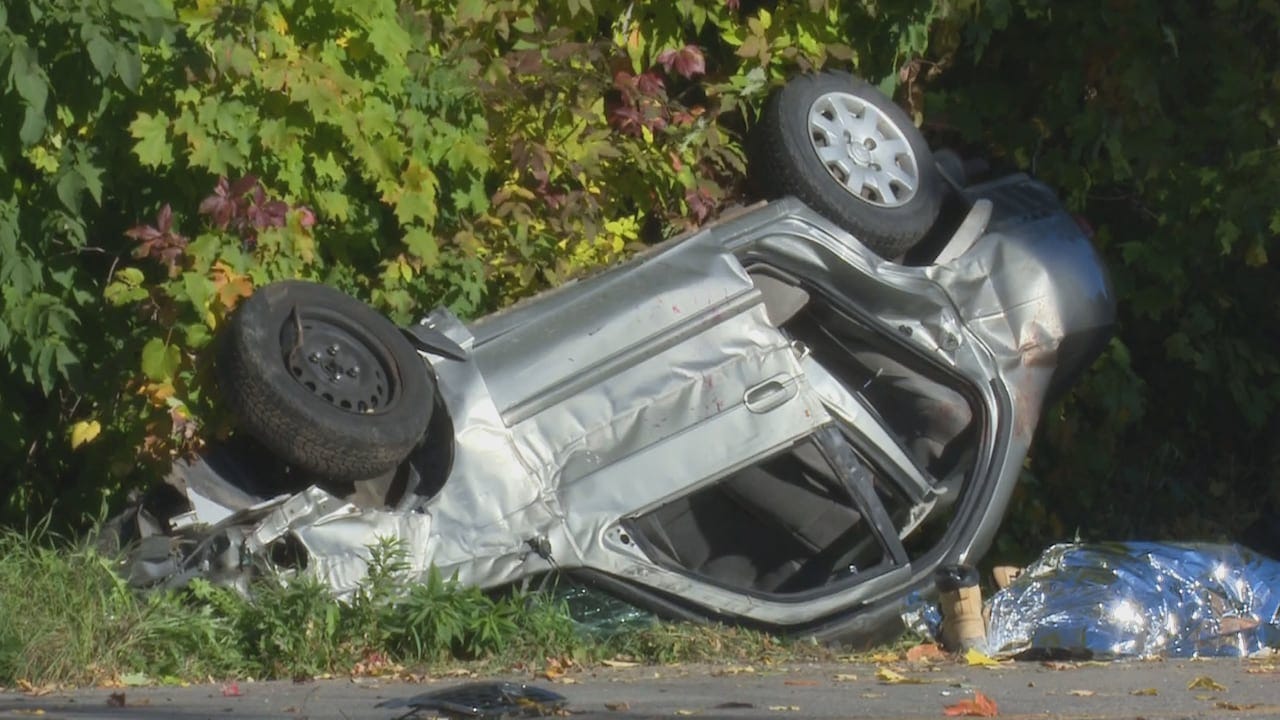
774	421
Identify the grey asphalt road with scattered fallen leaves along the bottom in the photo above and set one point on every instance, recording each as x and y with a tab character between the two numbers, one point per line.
1149	690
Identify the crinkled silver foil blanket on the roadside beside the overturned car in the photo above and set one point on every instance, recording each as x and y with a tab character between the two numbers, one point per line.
1139	600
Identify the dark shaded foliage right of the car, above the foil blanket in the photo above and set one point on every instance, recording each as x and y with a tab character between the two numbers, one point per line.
1168	145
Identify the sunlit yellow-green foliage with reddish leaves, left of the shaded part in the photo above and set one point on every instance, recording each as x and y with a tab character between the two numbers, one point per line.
175	156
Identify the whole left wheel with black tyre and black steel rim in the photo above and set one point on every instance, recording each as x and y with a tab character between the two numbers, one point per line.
346	403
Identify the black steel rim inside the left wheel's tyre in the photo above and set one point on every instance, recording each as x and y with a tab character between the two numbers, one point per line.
339	363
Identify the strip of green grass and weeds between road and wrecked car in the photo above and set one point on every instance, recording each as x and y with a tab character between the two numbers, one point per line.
68	619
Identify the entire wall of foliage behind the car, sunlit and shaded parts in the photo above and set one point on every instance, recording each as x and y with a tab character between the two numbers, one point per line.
162	158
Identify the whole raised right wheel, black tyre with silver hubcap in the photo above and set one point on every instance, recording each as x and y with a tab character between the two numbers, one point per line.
889	211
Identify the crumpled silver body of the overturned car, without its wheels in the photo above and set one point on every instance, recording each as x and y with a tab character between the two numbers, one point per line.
761	422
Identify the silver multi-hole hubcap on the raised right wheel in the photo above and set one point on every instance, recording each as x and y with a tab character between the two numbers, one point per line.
863	151
